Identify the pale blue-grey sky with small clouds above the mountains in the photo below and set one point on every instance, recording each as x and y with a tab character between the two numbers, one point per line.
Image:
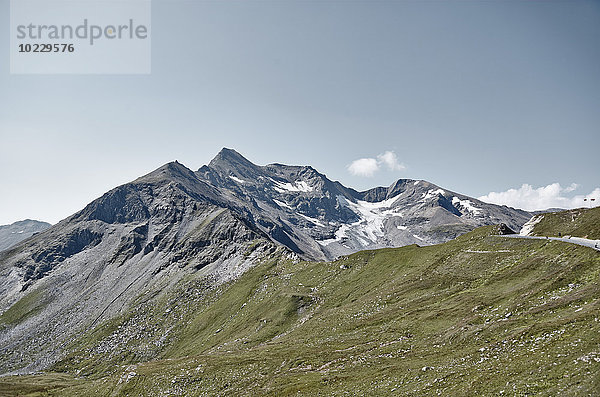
497	100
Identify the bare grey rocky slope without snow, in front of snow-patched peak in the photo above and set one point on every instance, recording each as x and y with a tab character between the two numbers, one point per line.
137	239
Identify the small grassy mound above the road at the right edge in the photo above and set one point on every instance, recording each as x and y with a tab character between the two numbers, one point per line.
581	222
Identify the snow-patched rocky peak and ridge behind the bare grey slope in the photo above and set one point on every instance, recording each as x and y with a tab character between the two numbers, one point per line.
322	219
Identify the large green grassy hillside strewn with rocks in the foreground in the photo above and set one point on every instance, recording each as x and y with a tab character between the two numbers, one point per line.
482	314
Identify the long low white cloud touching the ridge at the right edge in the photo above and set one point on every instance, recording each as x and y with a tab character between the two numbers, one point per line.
552	196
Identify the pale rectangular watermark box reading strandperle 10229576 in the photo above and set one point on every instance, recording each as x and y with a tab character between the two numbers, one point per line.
80	36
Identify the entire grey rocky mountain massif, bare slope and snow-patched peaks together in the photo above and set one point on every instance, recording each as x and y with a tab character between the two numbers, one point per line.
144	237
